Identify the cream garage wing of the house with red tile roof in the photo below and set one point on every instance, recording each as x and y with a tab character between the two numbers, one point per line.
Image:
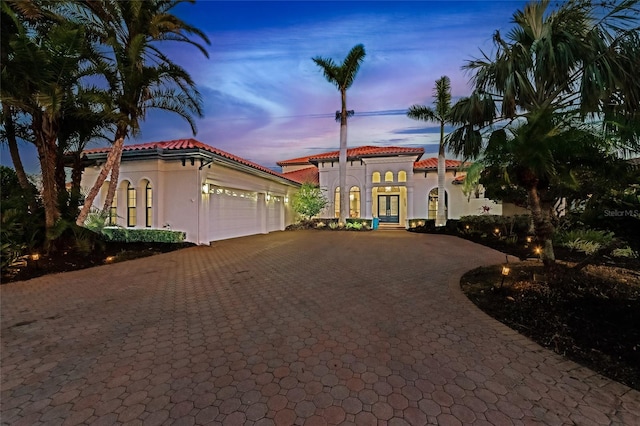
189	186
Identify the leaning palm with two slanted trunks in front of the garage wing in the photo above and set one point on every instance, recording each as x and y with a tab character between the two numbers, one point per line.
139	74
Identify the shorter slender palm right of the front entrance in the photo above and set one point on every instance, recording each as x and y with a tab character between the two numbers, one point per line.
442	115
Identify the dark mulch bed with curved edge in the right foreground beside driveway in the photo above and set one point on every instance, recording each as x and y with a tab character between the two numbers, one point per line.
590	316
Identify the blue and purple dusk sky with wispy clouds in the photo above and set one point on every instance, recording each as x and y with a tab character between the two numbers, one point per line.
265	99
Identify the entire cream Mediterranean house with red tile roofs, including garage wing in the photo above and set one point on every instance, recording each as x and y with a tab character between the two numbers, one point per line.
211	195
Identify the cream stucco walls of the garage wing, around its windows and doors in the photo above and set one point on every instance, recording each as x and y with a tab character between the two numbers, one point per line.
178	200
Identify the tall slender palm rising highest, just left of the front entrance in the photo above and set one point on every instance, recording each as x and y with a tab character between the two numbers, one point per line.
342	76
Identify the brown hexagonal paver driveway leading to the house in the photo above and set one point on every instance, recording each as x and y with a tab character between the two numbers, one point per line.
294	327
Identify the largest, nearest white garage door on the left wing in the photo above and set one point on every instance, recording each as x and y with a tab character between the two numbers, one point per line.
233	213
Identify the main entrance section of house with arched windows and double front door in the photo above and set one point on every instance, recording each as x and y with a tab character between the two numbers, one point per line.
391	183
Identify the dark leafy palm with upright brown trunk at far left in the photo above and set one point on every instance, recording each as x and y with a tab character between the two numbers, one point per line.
46	57
